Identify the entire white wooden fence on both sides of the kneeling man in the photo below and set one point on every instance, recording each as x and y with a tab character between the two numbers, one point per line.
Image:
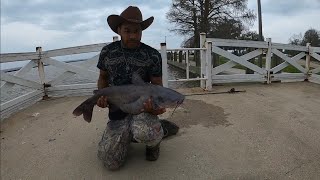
44	88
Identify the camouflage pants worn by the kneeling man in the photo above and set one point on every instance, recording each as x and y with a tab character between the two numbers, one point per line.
113	146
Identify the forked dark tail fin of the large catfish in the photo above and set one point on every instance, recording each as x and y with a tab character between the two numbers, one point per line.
86	108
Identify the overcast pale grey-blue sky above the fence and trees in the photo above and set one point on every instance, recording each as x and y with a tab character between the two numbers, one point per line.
26	24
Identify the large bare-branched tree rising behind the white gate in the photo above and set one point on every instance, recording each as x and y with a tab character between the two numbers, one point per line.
194	16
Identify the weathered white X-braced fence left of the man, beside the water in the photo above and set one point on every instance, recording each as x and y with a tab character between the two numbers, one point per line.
43	88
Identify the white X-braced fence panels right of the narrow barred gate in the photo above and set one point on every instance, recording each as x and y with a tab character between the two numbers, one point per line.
267	73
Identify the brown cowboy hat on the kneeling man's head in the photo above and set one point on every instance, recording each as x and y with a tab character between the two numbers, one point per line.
131	14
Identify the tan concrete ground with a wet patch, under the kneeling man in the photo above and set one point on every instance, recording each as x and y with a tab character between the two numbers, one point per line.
267	132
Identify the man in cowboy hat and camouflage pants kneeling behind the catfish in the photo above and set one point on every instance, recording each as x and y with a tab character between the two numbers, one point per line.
117	62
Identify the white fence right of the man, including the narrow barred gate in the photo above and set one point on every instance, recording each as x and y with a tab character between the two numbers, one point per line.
266	73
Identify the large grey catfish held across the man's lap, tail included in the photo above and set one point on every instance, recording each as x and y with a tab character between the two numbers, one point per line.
130	98
